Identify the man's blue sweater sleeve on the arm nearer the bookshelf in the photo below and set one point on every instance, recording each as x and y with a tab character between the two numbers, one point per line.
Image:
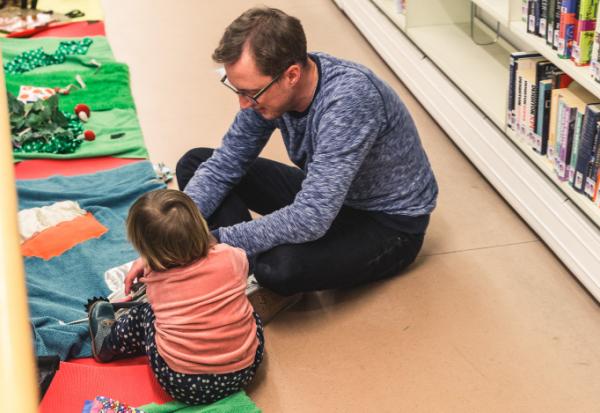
347	125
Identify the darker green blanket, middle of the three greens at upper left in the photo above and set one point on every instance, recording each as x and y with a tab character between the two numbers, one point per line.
106	88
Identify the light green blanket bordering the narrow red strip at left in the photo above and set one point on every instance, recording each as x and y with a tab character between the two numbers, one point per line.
104	124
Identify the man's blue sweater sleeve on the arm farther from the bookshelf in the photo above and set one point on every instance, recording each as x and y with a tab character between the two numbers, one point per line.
241	145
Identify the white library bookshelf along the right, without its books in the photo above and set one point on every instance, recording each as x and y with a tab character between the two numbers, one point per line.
464	86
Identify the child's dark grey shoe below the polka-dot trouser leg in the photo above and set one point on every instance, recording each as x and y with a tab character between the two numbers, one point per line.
101	317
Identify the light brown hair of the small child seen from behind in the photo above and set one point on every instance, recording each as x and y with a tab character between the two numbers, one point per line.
167	229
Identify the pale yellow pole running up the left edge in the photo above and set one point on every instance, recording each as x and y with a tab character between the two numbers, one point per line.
18	383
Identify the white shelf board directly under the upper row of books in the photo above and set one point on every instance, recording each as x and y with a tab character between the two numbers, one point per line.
581	74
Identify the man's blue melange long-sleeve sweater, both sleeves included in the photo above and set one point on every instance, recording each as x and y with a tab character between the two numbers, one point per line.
357	145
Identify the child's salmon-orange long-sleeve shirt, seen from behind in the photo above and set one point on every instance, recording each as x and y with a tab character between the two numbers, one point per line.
204	321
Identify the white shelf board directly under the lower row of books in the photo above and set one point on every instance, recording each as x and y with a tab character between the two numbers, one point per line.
544	165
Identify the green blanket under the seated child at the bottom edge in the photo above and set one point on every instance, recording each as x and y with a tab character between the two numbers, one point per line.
236	403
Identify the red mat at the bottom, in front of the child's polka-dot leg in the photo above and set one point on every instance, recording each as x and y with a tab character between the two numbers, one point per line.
130	381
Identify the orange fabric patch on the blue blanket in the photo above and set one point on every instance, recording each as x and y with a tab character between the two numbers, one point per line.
54	241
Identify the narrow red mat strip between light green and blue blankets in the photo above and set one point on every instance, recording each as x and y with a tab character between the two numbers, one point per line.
43	168
